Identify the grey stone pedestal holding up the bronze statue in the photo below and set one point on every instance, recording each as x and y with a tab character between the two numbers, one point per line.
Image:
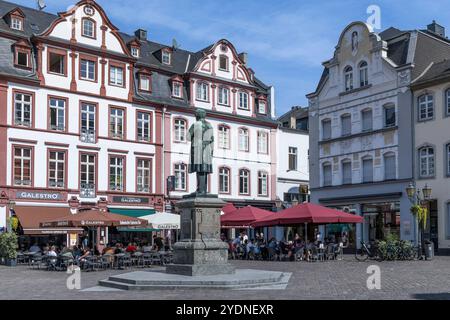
200	250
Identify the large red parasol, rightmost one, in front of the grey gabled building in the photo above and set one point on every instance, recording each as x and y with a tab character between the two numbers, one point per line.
307	213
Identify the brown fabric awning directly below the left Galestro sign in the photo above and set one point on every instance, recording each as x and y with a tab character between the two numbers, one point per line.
31	217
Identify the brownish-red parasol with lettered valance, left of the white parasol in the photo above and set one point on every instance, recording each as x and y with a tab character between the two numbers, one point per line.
93	218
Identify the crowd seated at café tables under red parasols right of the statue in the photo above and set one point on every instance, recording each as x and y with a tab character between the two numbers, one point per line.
259	249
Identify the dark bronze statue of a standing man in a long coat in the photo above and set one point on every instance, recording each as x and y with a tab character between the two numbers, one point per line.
202	145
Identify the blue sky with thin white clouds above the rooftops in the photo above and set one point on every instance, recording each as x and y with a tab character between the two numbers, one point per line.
287	40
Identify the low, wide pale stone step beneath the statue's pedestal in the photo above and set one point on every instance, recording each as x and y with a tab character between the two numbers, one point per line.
242	278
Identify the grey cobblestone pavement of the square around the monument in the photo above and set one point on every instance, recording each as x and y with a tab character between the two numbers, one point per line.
319	280
